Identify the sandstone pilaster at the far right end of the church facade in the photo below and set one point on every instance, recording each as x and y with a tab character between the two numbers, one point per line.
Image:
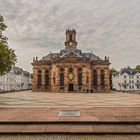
107	80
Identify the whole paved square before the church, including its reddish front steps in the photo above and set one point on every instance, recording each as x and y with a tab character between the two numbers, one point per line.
28	112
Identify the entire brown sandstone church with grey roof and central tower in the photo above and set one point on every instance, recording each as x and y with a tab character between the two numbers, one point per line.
71	70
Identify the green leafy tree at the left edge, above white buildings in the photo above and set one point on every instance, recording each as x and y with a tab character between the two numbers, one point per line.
7	55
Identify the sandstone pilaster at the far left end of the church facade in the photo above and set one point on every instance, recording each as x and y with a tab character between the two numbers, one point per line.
35	79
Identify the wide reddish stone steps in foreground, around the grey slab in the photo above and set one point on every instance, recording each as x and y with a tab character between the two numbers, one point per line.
126	121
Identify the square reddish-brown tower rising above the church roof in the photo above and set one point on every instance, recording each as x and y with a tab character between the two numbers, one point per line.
70	39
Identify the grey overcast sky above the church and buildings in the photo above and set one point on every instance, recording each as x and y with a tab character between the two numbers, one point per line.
105	27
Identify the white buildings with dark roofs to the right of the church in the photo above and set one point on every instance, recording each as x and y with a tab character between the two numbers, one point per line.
126	79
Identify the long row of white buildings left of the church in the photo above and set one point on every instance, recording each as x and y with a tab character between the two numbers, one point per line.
16	80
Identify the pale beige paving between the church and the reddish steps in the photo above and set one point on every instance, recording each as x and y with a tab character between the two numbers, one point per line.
82	100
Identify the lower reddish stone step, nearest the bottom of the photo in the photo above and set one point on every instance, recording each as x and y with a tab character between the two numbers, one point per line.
70	128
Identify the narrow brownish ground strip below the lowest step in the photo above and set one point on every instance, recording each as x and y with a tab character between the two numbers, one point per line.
72	137
